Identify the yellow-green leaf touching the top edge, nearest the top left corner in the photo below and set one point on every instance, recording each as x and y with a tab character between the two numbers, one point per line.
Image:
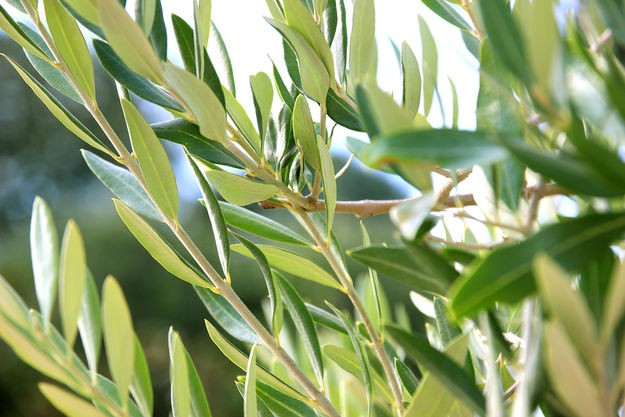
71	45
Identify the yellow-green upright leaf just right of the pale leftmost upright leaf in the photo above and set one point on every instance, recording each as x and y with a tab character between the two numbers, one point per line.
72	278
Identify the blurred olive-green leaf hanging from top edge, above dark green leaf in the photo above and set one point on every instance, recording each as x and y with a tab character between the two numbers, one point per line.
138	55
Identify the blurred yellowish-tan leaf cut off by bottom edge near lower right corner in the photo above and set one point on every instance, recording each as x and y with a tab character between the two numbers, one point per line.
568	375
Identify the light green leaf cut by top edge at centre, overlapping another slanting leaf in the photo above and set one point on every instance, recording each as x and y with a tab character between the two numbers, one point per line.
299	18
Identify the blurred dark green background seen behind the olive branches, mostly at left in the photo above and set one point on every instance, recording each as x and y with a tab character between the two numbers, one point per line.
39	157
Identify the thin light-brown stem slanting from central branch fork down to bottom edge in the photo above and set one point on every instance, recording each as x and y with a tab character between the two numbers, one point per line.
345	280
